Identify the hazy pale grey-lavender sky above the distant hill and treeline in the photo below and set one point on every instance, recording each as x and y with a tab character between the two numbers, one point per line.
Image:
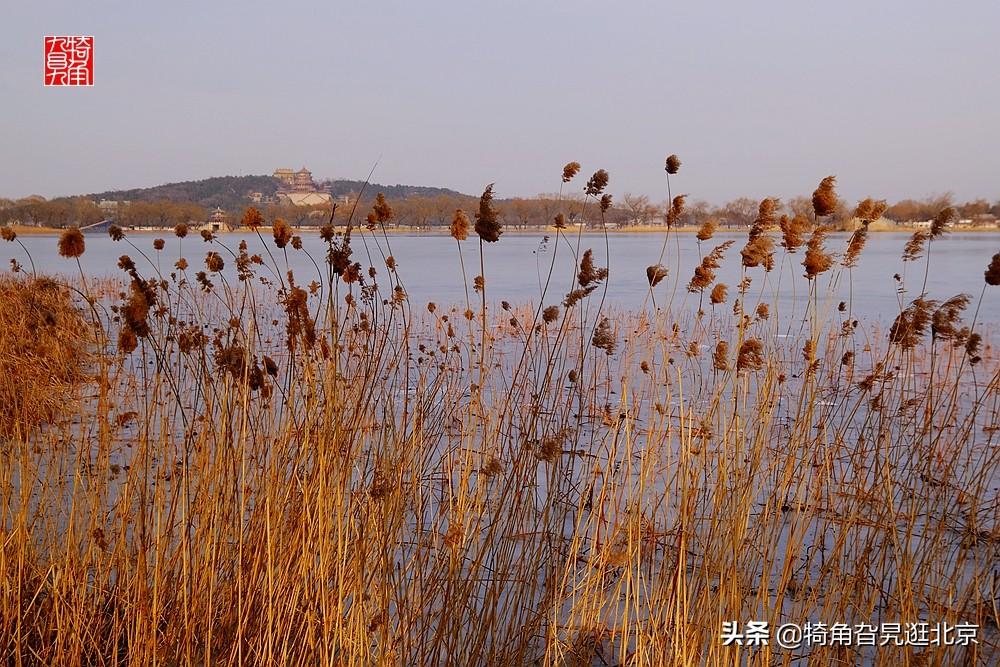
896	98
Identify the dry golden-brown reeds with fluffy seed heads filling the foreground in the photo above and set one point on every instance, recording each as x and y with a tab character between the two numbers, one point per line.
269	468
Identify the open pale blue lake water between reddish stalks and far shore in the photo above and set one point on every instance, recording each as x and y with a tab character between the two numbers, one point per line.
517	267
